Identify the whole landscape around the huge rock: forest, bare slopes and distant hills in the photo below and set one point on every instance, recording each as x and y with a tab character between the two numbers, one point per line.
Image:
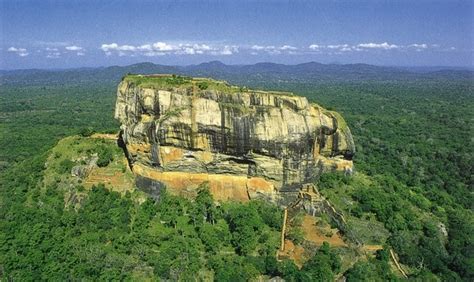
69	209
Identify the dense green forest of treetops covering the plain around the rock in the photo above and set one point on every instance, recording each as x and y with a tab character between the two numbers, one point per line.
414	138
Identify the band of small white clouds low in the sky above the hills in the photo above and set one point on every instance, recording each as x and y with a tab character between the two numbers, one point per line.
162	48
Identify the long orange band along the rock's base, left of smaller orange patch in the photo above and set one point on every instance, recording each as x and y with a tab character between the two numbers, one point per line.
222	187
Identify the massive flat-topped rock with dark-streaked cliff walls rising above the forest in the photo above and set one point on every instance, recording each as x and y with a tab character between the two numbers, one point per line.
181	132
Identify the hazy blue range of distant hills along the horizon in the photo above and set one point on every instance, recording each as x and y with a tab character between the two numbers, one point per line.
311	72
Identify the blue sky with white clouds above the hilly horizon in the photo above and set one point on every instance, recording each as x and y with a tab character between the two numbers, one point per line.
69	34
